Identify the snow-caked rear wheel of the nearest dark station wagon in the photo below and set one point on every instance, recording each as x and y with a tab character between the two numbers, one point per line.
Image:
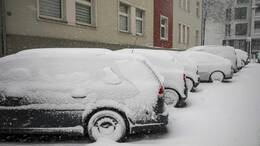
106	124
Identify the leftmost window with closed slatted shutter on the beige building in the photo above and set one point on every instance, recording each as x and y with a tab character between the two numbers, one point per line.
51	9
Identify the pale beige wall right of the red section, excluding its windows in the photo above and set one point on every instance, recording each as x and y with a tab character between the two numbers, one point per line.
188	18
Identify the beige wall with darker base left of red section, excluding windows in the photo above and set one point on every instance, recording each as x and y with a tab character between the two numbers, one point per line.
23	23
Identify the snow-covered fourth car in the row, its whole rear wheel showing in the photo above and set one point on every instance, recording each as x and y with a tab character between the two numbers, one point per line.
211	67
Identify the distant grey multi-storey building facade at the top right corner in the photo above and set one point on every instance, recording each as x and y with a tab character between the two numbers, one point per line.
242	29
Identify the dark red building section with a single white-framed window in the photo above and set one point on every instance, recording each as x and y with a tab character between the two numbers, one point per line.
163	23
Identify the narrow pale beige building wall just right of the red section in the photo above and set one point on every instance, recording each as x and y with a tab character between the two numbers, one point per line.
184	14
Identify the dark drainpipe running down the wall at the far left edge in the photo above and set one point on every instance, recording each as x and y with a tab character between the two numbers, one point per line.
3	25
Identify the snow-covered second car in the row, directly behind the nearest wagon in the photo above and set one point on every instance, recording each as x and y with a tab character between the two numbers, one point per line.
176	91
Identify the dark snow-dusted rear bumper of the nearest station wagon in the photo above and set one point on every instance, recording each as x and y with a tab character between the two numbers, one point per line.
161	122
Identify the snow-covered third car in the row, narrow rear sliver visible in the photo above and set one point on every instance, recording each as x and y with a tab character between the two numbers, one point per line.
190	68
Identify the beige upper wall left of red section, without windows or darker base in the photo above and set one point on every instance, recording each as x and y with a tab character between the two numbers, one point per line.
23	19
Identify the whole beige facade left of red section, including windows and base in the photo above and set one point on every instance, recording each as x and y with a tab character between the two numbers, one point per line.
78	23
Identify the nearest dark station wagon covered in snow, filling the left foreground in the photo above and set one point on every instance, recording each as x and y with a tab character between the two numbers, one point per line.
94	92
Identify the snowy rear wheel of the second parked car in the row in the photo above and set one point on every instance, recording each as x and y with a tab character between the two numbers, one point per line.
171	97
